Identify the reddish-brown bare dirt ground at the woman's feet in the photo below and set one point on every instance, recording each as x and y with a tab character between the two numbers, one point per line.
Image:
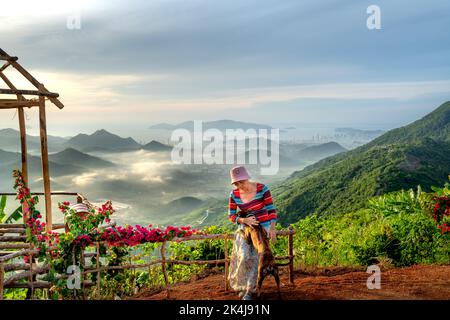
411	283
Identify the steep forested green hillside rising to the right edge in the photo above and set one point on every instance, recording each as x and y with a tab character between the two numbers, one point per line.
417	154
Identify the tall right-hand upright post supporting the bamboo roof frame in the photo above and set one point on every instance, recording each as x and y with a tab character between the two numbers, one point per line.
45	167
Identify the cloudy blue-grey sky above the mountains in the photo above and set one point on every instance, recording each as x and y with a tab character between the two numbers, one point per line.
124	65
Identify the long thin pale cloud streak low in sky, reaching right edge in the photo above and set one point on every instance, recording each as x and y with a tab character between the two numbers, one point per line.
248	98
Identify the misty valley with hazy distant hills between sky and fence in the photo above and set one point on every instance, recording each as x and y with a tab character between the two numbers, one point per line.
147	186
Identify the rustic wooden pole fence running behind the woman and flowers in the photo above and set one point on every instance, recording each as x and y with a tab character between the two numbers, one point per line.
31	270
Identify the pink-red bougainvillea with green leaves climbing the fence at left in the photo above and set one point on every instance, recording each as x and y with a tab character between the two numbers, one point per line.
62	250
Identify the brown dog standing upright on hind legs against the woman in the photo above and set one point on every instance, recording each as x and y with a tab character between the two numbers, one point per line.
257	236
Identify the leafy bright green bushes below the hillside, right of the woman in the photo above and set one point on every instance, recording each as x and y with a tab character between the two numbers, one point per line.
396	226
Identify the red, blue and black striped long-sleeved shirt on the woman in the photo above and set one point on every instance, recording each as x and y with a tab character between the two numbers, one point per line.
261	205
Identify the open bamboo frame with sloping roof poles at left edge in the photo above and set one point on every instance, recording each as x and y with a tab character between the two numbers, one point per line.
20	103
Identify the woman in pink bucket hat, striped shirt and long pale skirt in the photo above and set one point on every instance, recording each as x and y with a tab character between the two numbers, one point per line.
251	198
